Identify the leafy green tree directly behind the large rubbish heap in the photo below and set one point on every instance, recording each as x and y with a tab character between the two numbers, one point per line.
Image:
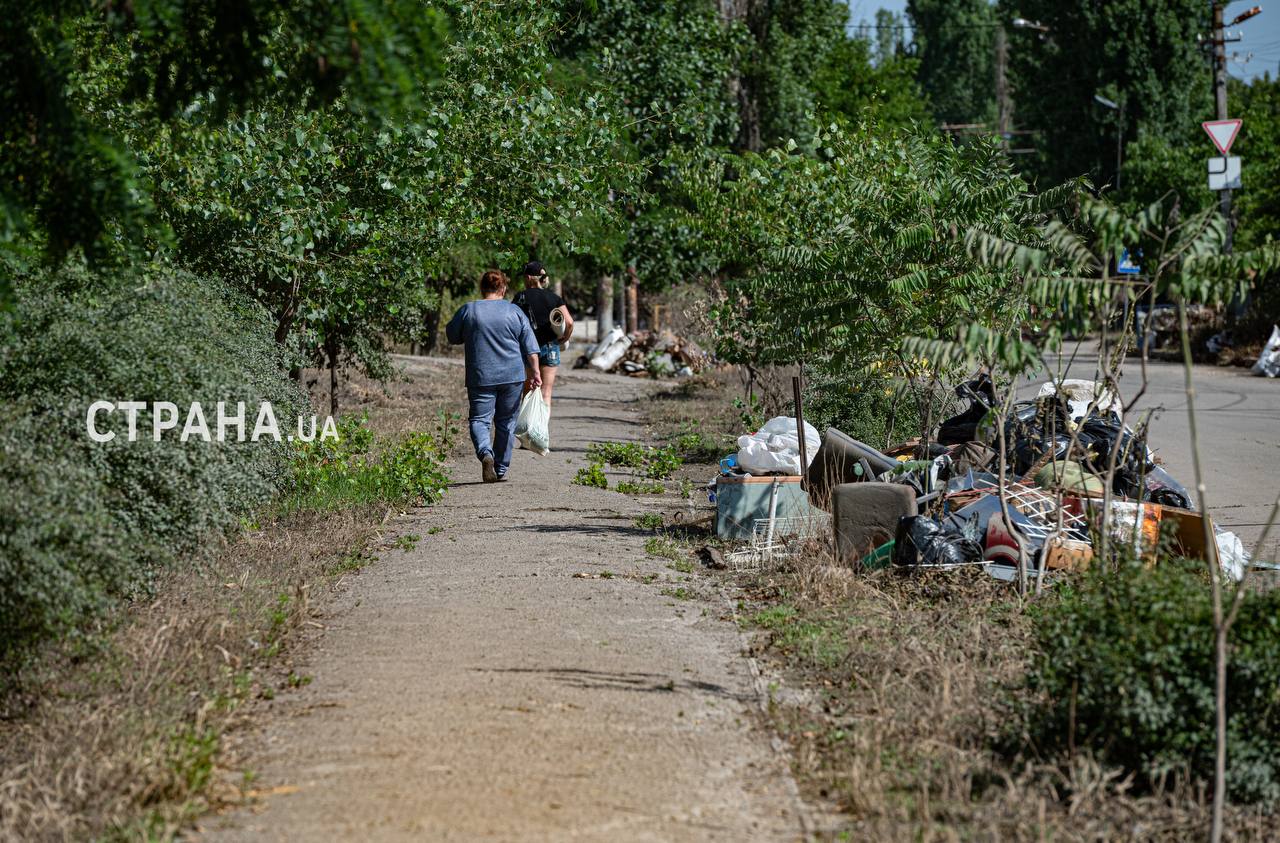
836	259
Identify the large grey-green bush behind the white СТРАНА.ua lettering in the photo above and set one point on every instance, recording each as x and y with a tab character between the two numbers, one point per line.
85	524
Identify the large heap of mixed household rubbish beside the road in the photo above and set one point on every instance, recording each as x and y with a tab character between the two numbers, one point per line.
943	505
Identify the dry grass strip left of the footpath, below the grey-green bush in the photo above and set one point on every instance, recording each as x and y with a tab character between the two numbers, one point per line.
125	737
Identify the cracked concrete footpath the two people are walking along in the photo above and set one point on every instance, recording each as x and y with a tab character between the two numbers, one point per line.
497	684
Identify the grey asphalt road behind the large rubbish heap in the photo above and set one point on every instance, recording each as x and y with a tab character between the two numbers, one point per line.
1238	416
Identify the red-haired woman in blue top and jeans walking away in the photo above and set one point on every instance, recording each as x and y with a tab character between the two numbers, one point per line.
502	359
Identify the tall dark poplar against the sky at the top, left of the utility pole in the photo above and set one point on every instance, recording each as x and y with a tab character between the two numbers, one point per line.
956	44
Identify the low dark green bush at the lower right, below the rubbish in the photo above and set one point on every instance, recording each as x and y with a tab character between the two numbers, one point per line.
1128	656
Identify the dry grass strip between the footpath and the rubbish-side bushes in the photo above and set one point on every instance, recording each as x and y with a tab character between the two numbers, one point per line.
897	695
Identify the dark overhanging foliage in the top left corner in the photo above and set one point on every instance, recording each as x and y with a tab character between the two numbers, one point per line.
74	180
